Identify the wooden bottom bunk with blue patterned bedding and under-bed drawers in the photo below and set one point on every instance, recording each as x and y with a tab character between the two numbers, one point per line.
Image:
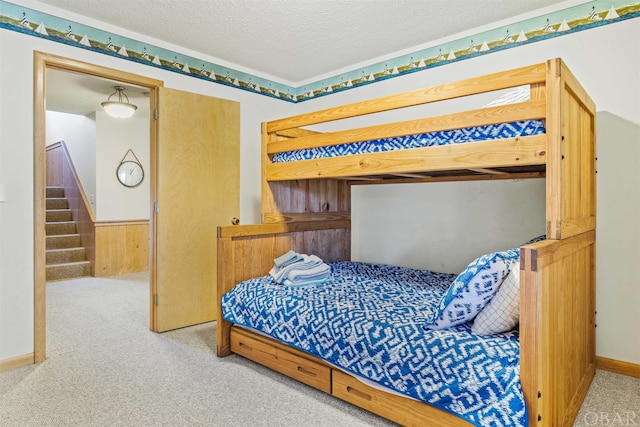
484	390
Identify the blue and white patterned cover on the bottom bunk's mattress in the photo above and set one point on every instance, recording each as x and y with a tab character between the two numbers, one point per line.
369	321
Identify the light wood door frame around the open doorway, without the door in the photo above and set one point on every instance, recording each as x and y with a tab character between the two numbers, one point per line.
41	62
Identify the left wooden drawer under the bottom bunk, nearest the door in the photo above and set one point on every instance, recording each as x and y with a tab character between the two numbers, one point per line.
275	356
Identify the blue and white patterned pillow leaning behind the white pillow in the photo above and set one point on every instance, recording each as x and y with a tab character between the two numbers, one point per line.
473	289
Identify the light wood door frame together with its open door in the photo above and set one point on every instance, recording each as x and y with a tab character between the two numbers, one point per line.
195	142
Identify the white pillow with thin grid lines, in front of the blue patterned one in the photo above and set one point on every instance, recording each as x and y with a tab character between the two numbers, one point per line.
502	313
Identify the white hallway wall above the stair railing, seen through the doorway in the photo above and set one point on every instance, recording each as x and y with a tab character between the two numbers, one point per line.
79	135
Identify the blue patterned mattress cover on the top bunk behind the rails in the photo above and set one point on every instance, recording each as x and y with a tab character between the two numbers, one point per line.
455	136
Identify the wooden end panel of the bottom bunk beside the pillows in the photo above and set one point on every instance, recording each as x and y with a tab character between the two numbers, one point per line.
557	327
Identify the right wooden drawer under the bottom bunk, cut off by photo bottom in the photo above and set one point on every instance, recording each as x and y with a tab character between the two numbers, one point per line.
402	410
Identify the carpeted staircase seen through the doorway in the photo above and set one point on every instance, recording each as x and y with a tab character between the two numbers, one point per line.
65	256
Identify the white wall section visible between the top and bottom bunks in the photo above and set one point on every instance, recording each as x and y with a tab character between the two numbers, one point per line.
444	226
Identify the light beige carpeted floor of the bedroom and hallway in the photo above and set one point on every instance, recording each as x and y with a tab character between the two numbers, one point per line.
105	368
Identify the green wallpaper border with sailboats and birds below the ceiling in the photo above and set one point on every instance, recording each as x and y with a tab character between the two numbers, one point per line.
566	21
